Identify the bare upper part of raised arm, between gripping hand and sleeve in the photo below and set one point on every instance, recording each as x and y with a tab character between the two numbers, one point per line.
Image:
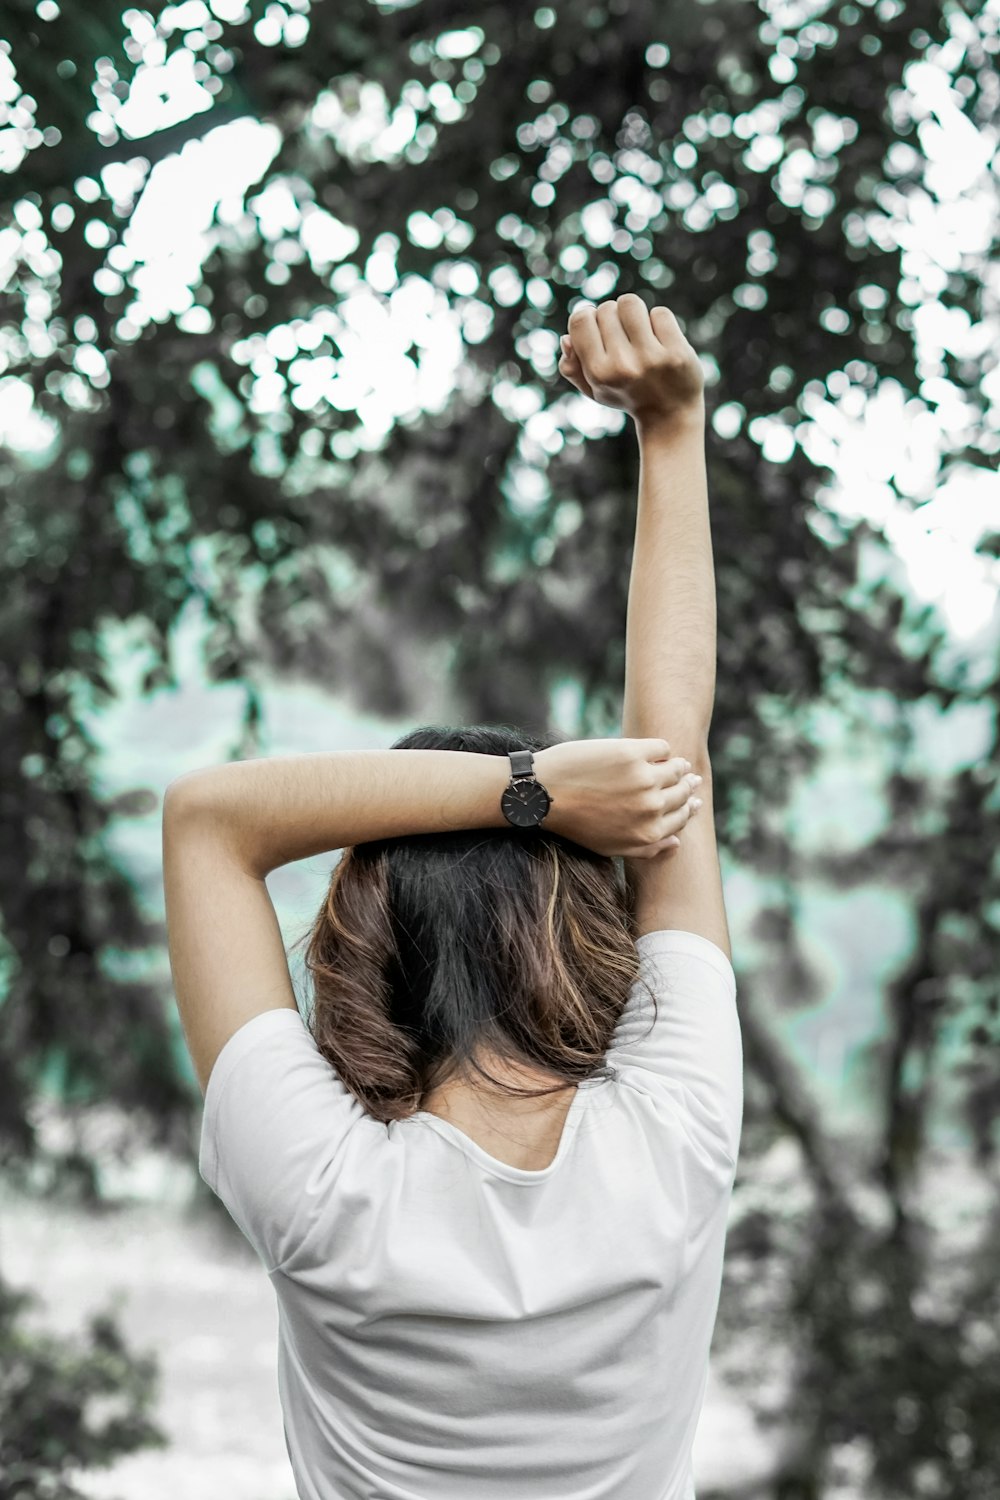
683	887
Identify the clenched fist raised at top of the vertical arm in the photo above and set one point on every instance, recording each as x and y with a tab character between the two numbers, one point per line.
632	359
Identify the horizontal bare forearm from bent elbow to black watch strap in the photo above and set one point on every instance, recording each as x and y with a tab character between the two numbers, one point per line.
280	809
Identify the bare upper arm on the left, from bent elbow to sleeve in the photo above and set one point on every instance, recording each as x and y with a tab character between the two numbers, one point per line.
226	946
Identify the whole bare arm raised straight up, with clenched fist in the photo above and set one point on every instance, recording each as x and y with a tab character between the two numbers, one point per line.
639	362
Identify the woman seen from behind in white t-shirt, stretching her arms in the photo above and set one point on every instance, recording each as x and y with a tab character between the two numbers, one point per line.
490	1184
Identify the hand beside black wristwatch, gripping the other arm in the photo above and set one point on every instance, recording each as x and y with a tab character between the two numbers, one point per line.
618	797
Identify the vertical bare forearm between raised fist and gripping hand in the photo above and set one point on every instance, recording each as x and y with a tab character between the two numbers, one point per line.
671	626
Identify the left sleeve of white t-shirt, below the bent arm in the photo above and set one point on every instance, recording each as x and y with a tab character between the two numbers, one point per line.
277	1117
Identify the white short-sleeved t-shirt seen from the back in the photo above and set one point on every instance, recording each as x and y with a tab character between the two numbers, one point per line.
452	1328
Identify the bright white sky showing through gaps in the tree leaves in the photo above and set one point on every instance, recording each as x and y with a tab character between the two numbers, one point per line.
869	442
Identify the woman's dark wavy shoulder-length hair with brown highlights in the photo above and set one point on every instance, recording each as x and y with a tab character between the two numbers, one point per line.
430	950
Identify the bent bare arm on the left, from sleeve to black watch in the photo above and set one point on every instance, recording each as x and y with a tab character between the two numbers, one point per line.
227	827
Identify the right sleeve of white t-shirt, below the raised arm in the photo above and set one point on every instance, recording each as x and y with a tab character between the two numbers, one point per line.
692	1057
